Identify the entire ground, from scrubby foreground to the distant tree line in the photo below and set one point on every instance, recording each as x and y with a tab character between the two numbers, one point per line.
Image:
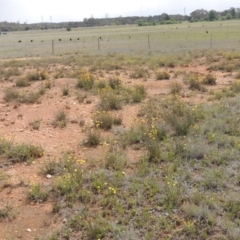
139	143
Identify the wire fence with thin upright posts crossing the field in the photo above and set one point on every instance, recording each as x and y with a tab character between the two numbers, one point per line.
163	42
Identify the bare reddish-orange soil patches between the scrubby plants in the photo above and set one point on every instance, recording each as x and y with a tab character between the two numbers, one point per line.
36	219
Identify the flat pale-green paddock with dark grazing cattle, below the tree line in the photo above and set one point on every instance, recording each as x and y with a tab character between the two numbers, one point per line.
163	39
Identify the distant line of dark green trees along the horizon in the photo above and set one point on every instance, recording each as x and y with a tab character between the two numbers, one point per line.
195	16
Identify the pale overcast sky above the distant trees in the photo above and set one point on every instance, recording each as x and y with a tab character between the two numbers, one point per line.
75	10
